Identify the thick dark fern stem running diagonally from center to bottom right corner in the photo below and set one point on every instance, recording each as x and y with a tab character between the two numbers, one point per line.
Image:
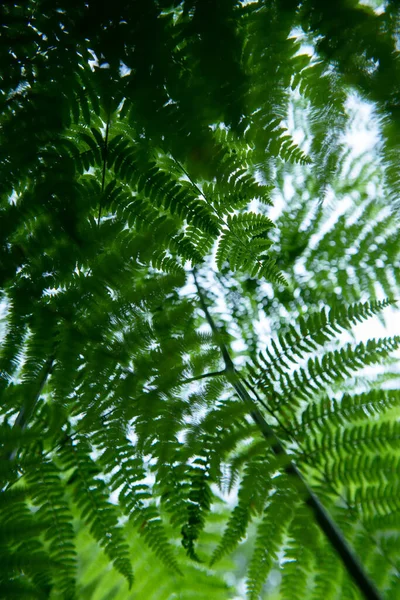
322	517
